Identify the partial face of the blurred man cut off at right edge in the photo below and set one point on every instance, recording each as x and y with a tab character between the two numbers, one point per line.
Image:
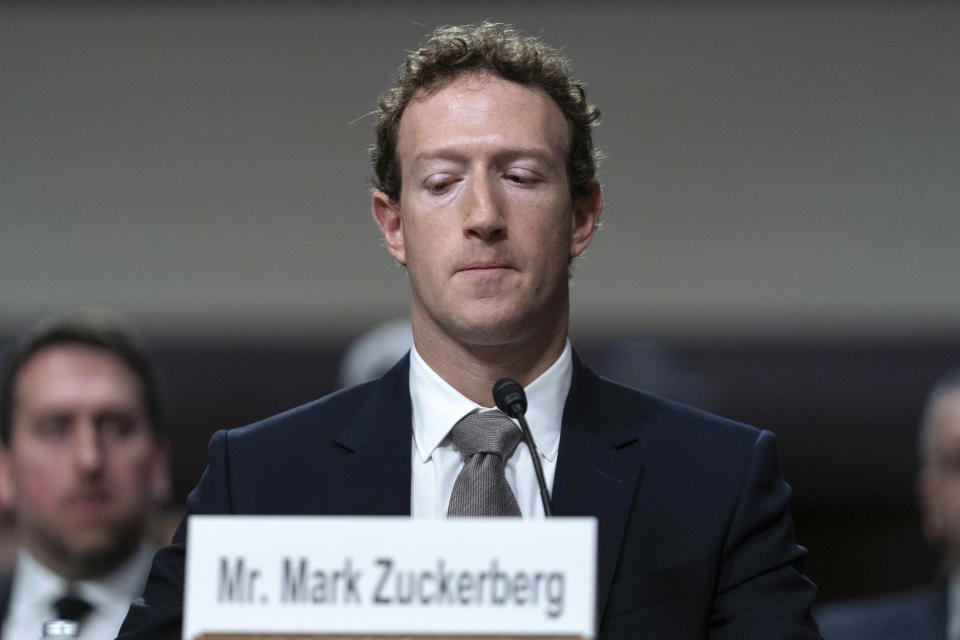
940	481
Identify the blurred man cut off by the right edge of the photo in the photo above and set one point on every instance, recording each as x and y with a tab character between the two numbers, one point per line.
931	612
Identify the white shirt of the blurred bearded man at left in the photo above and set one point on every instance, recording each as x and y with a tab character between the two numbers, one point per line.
36	588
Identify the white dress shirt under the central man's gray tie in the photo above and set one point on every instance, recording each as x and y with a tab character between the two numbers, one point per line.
437	407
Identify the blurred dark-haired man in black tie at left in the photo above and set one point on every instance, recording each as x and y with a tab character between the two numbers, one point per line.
83	465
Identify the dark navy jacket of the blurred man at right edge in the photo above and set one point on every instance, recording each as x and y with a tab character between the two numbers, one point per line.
917	614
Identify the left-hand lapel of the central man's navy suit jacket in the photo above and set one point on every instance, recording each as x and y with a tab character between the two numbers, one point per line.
373	478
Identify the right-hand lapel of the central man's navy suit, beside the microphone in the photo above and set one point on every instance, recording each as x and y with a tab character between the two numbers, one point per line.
597	473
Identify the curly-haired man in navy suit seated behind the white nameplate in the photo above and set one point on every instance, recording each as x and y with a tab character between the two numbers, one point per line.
485	192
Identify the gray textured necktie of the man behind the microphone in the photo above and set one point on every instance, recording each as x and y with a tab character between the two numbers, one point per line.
485	441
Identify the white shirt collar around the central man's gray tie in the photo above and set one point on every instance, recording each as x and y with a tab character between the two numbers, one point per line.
437	406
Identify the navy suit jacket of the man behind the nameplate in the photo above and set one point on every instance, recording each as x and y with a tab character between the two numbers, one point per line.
695	534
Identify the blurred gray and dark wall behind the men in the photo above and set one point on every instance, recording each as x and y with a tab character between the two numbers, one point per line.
780	236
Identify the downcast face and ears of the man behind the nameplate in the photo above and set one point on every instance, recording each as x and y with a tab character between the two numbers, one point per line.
485	223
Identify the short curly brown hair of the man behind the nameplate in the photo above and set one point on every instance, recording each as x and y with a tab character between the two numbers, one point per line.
500	49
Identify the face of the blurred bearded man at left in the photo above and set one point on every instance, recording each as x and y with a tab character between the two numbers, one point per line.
83	468
